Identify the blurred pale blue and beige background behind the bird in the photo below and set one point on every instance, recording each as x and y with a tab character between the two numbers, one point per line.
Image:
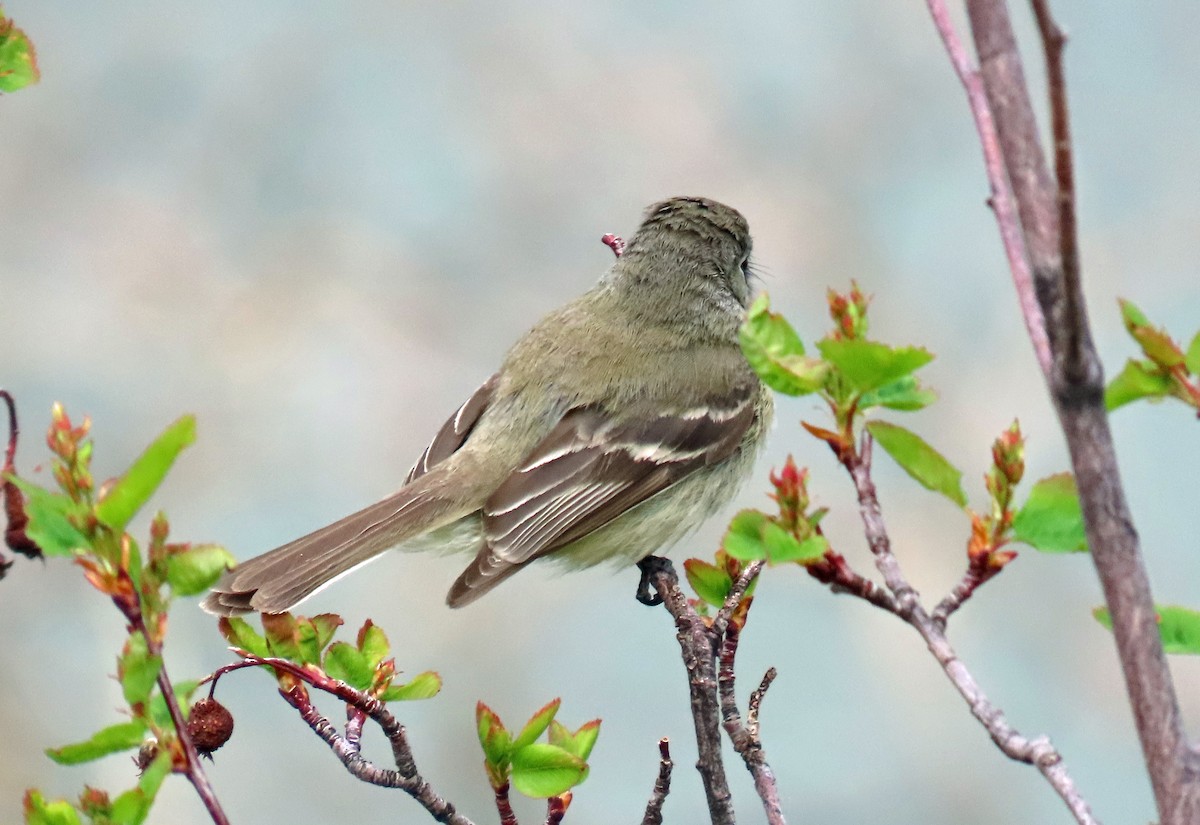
317	227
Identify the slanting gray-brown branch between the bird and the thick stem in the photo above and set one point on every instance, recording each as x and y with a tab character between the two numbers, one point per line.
1037	752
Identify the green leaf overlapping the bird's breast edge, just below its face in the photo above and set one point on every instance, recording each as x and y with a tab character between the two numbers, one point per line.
776	353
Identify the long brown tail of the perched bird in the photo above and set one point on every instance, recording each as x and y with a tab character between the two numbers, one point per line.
283	579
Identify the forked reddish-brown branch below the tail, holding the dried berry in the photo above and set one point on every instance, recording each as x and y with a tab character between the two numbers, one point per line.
346	749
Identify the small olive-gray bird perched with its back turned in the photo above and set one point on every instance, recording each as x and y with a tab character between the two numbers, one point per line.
614	429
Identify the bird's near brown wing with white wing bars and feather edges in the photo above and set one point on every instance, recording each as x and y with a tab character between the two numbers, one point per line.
591	469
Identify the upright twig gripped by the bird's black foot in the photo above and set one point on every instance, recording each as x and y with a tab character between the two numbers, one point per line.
698	649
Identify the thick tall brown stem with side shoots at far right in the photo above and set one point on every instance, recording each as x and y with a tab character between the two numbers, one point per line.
1076	378
